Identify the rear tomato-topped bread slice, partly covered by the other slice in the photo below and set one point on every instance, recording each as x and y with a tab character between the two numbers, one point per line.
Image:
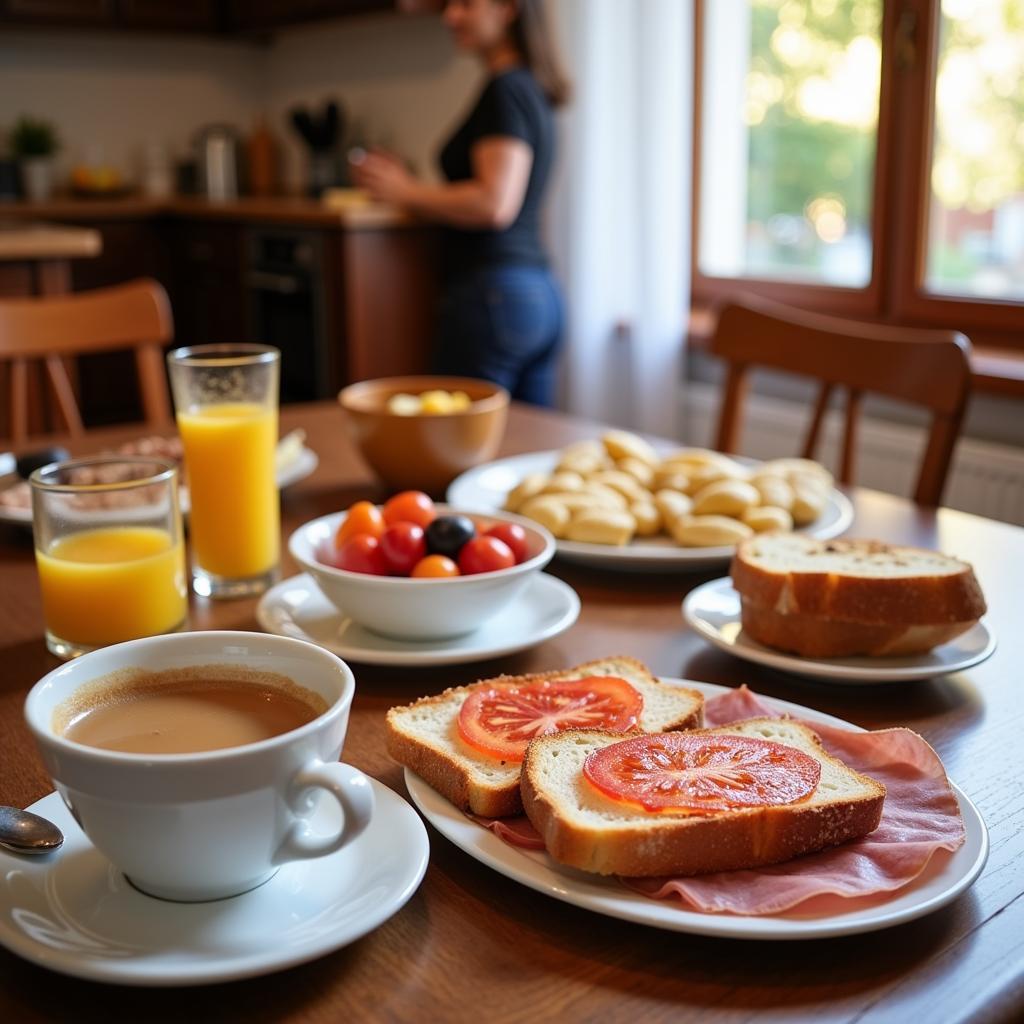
468	743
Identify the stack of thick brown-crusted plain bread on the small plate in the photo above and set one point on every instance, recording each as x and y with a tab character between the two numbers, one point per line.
841	599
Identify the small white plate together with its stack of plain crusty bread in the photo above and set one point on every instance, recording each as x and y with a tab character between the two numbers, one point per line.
845	611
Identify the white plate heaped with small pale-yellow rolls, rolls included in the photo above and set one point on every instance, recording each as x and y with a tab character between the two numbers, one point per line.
618	502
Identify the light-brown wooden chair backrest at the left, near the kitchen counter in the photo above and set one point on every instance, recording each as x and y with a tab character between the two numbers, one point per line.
136	316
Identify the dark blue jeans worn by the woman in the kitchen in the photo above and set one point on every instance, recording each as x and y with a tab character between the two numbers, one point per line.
503	324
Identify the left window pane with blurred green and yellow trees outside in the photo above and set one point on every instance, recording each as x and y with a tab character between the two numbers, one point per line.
790	119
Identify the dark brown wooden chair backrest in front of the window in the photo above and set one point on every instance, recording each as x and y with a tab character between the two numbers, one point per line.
926	368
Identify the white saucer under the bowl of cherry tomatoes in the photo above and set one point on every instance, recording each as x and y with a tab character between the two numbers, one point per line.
296	608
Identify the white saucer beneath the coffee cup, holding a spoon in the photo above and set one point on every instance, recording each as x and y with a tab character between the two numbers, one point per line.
74	913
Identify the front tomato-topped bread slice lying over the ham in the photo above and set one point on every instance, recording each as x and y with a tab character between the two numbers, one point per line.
753	793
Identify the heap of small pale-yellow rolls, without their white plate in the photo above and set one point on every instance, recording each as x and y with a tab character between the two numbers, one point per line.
615	490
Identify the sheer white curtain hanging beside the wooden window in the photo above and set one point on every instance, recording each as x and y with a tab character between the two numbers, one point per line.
621	214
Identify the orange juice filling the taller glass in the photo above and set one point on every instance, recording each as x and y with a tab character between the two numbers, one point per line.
235	518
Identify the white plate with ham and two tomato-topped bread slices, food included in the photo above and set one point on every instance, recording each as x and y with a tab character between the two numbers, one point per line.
758	828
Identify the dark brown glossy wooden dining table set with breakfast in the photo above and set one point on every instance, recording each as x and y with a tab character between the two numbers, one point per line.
473	945
